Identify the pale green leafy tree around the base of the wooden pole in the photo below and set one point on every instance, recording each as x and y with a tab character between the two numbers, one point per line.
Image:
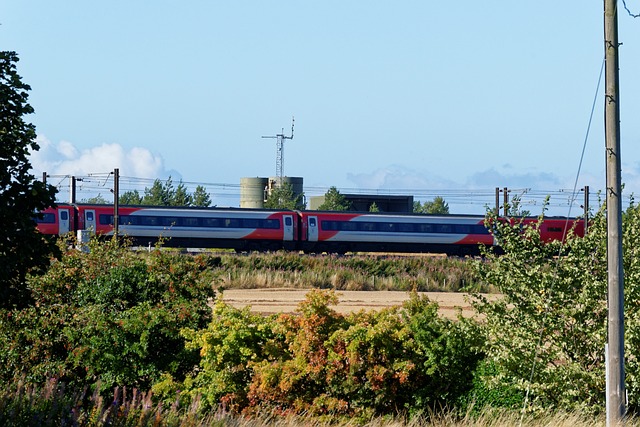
547	332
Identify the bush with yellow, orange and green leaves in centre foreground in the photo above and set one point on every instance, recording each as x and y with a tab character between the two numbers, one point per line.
317	361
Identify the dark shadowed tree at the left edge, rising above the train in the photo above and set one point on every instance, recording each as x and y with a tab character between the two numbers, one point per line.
22	249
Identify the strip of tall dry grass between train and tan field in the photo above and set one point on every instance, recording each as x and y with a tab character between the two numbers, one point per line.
351	273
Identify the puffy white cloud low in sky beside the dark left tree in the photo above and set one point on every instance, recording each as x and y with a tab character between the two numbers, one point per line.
64	158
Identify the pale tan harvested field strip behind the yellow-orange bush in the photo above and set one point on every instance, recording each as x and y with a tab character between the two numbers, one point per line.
280	300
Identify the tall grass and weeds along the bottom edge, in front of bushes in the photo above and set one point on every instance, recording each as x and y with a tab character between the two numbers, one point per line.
54	405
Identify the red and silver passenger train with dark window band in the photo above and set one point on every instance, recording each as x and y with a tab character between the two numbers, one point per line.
308	231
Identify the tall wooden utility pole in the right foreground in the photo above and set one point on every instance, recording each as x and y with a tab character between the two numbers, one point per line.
615	278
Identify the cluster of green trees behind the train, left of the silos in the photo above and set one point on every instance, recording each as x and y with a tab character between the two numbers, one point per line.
165	194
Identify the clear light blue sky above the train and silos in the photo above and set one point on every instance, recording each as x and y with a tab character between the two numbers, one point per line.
427	98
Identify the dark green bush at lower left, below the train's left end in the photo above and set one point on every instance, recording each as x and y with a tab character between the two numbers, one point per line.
111	315
